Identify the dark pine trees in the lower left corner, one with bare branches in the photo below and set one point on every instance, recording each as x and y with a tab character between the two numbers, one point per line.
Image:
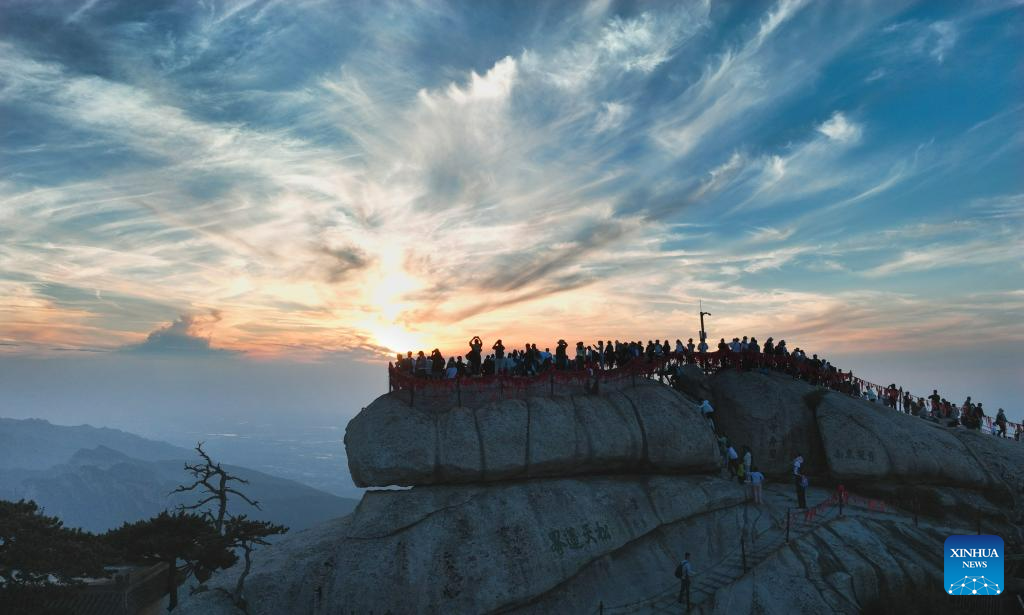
42	563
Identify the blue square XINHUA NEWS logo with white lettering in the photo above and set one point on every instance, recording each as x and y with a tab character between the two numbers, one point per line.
974	565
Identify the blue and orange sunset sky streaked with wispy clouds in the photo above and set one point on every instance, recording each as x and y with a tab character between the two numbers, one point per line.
261	190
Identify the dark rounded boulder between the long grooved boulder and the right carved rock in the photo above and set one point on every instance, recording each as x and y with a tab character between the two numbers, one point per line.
767	412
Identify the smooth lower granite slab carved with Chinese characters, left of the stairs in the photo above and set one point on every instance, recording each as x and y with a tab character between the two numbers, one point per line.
501	547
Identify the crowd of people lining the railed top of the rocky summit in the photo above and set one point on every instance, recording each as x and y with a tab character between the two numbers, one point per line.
744	354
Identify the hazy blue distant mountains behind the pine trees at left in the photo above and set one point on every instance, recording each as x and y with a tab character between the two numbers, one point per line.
98	479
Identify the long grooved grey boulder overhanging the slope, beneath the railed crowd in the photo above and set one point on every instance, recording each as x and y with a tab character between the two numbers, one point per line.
648	428
